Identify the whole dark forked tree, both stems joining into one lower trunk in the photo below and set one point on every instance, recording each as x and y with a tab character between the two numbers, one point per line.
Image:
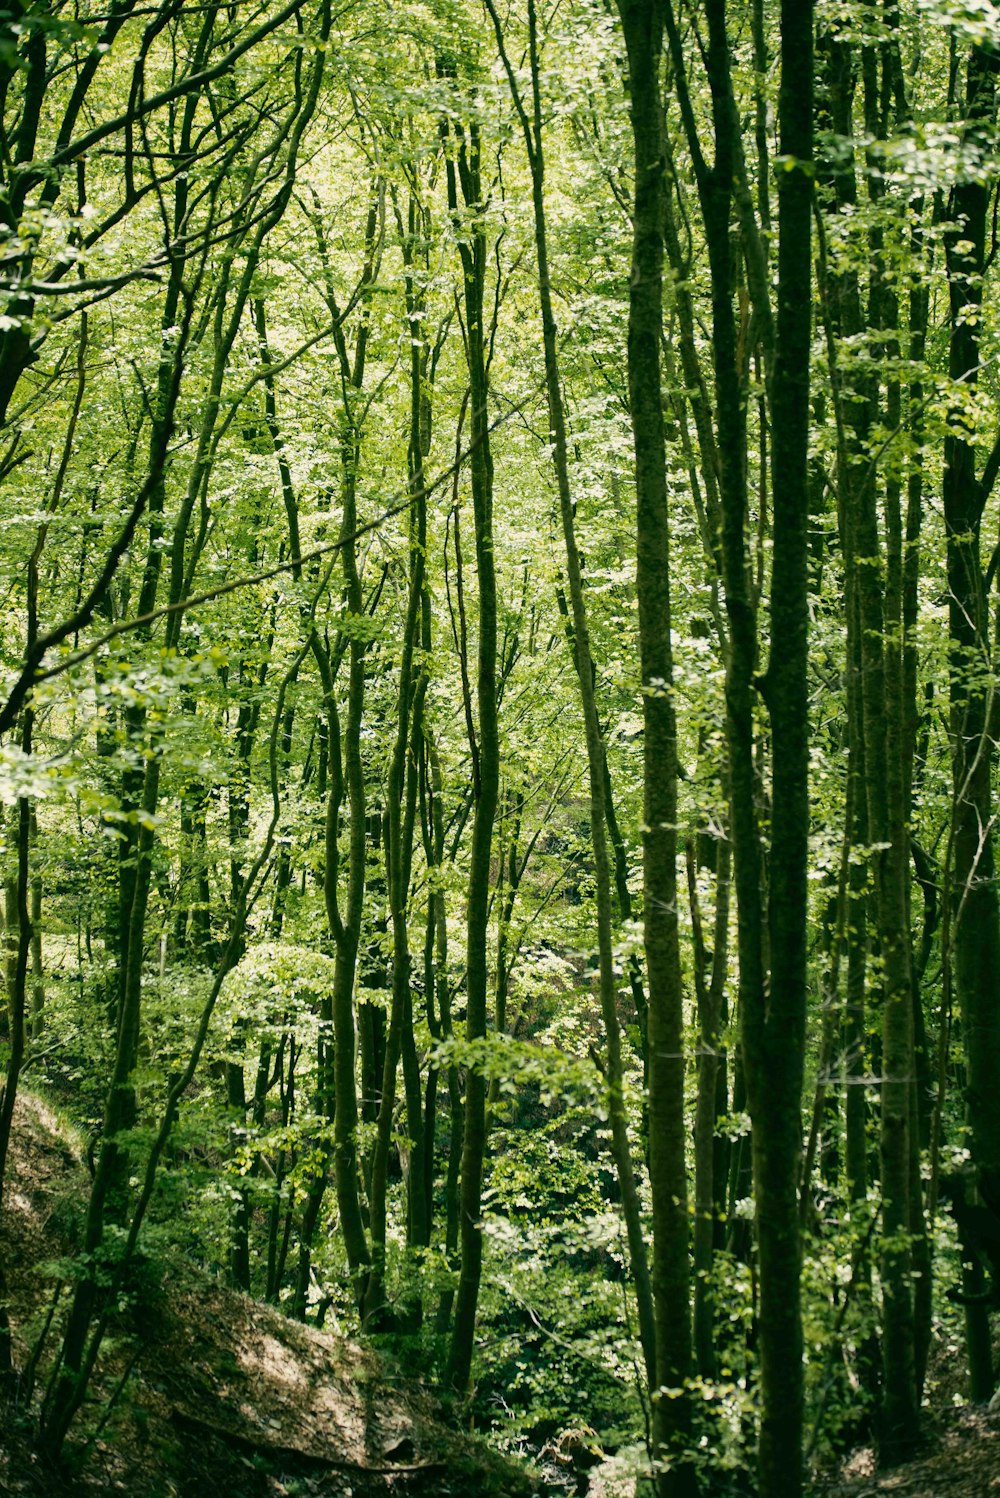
772	927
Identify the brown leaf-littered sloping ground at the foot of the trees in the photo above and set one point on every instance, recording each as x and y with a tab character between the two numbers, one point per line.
227	1398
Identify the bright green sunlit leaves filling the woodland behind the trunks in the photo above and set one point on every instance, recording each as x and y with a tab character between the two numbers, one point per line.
197	729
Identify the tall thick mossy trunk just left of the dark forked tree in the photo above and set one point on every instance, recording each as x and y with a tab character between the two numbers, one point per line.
643	28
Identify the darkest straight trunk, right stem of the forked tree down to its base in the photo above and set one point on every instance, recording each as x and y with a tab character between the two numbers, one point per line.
775	1031
